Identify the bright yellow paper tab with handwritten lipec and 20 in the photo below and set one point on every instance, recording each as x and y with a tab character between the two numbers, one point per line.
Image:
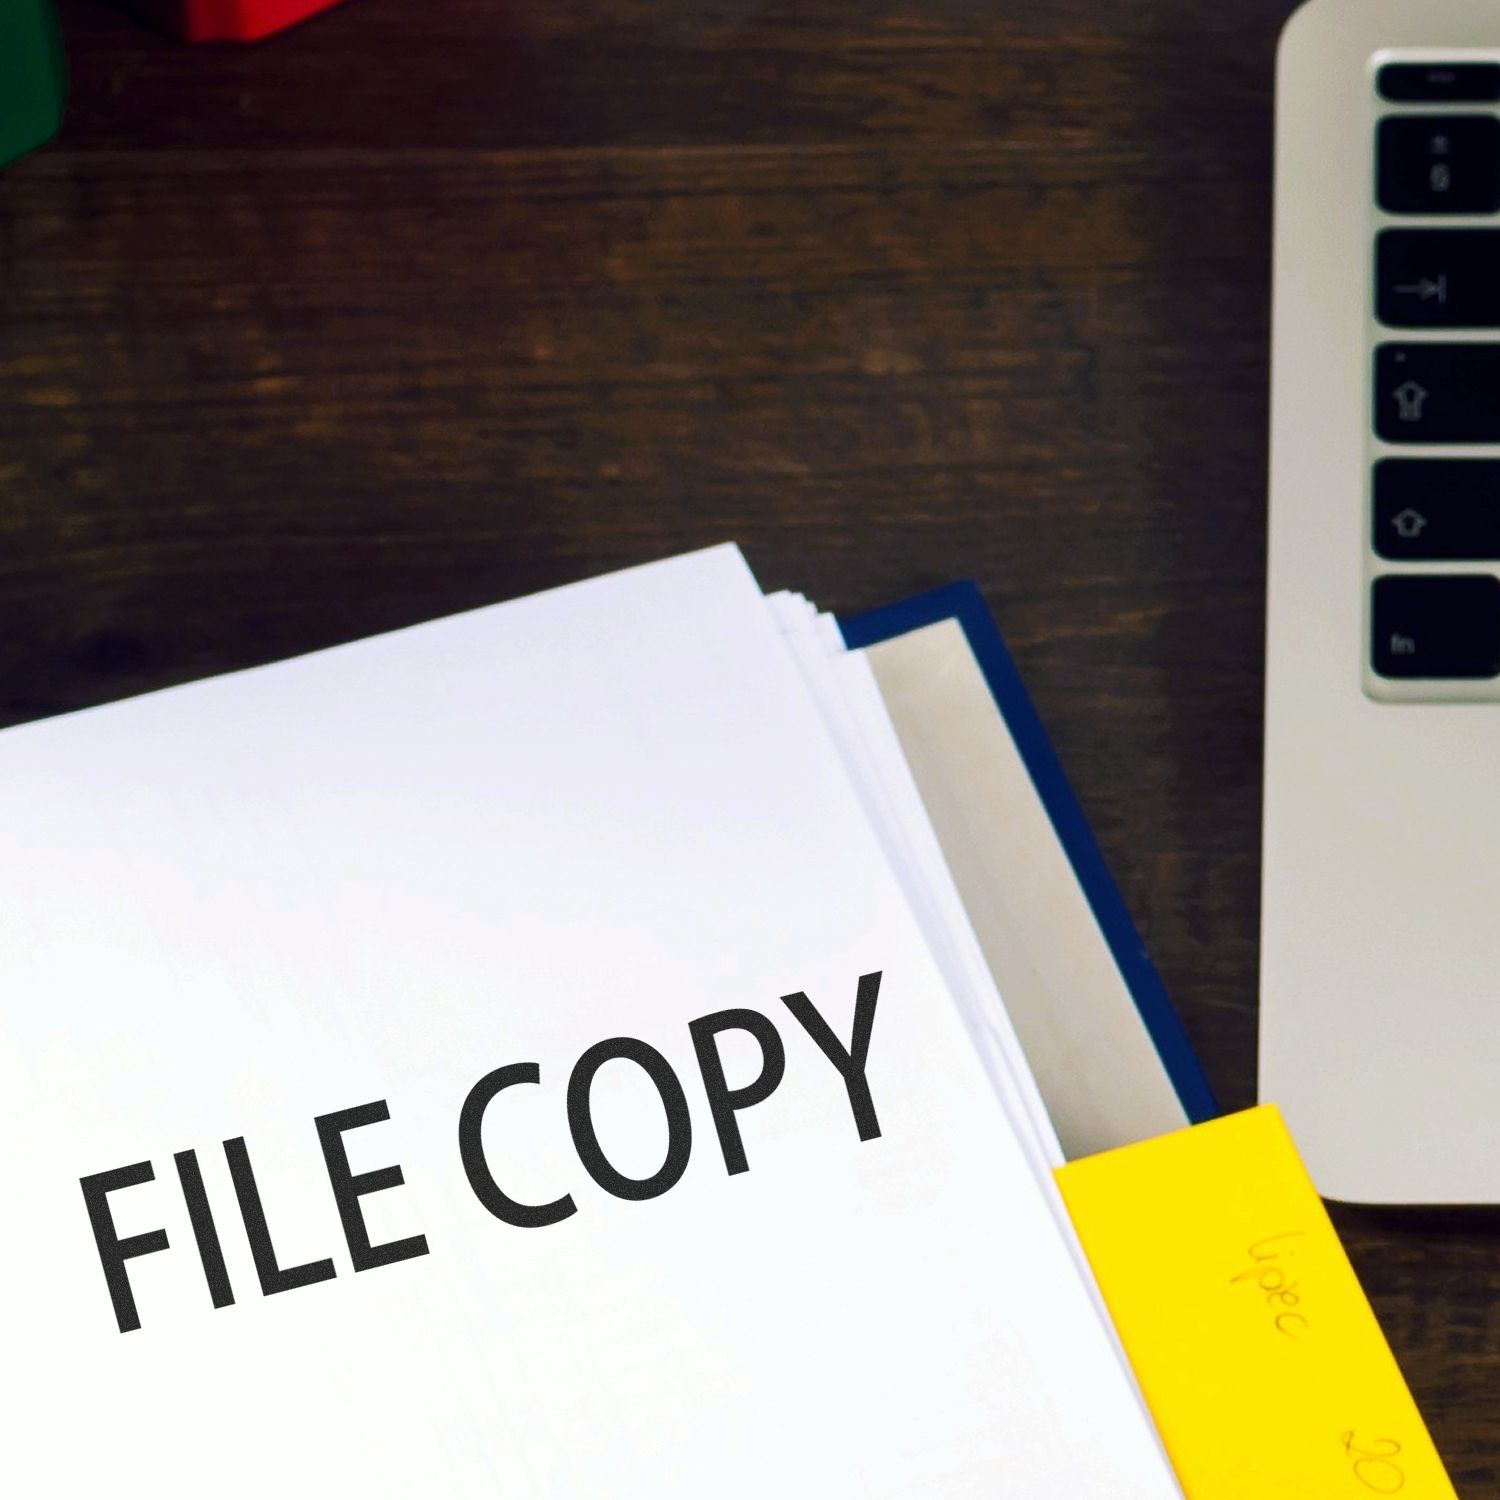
1258	1352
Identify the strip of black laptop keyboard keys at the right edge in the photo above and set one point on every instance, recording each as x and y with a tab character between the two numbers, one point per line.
1436	382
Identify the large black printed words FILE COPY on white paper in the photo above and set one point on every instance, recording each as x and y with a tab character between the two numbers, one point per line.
350	1187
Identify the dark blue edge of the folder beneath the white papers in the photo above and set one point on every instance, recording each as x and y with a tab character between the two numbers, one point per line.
965	604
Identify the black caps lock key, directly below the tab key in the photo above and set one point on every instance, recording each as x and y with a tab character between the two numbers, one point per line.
1438	392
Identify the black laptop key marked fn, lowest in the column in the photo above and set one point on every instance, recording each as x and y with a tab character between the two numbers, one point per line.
1436	626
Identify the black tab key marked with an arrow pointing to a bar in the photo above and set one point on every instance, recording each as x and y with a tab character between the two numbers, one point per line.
1439	278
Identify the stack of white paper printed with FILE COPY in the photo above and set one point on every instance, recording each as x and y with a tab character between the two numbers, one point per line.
538	1054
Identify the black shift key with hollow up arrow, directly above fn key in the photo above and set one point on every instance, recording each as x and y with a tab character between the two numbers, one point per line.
1433	511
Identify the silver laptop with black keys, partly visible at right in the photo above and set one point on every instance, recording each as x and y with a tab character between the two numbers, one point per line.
1381	919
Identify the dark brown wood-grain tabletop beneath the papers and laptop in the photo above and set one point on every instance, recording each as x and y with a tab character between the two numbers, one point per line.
436	302
